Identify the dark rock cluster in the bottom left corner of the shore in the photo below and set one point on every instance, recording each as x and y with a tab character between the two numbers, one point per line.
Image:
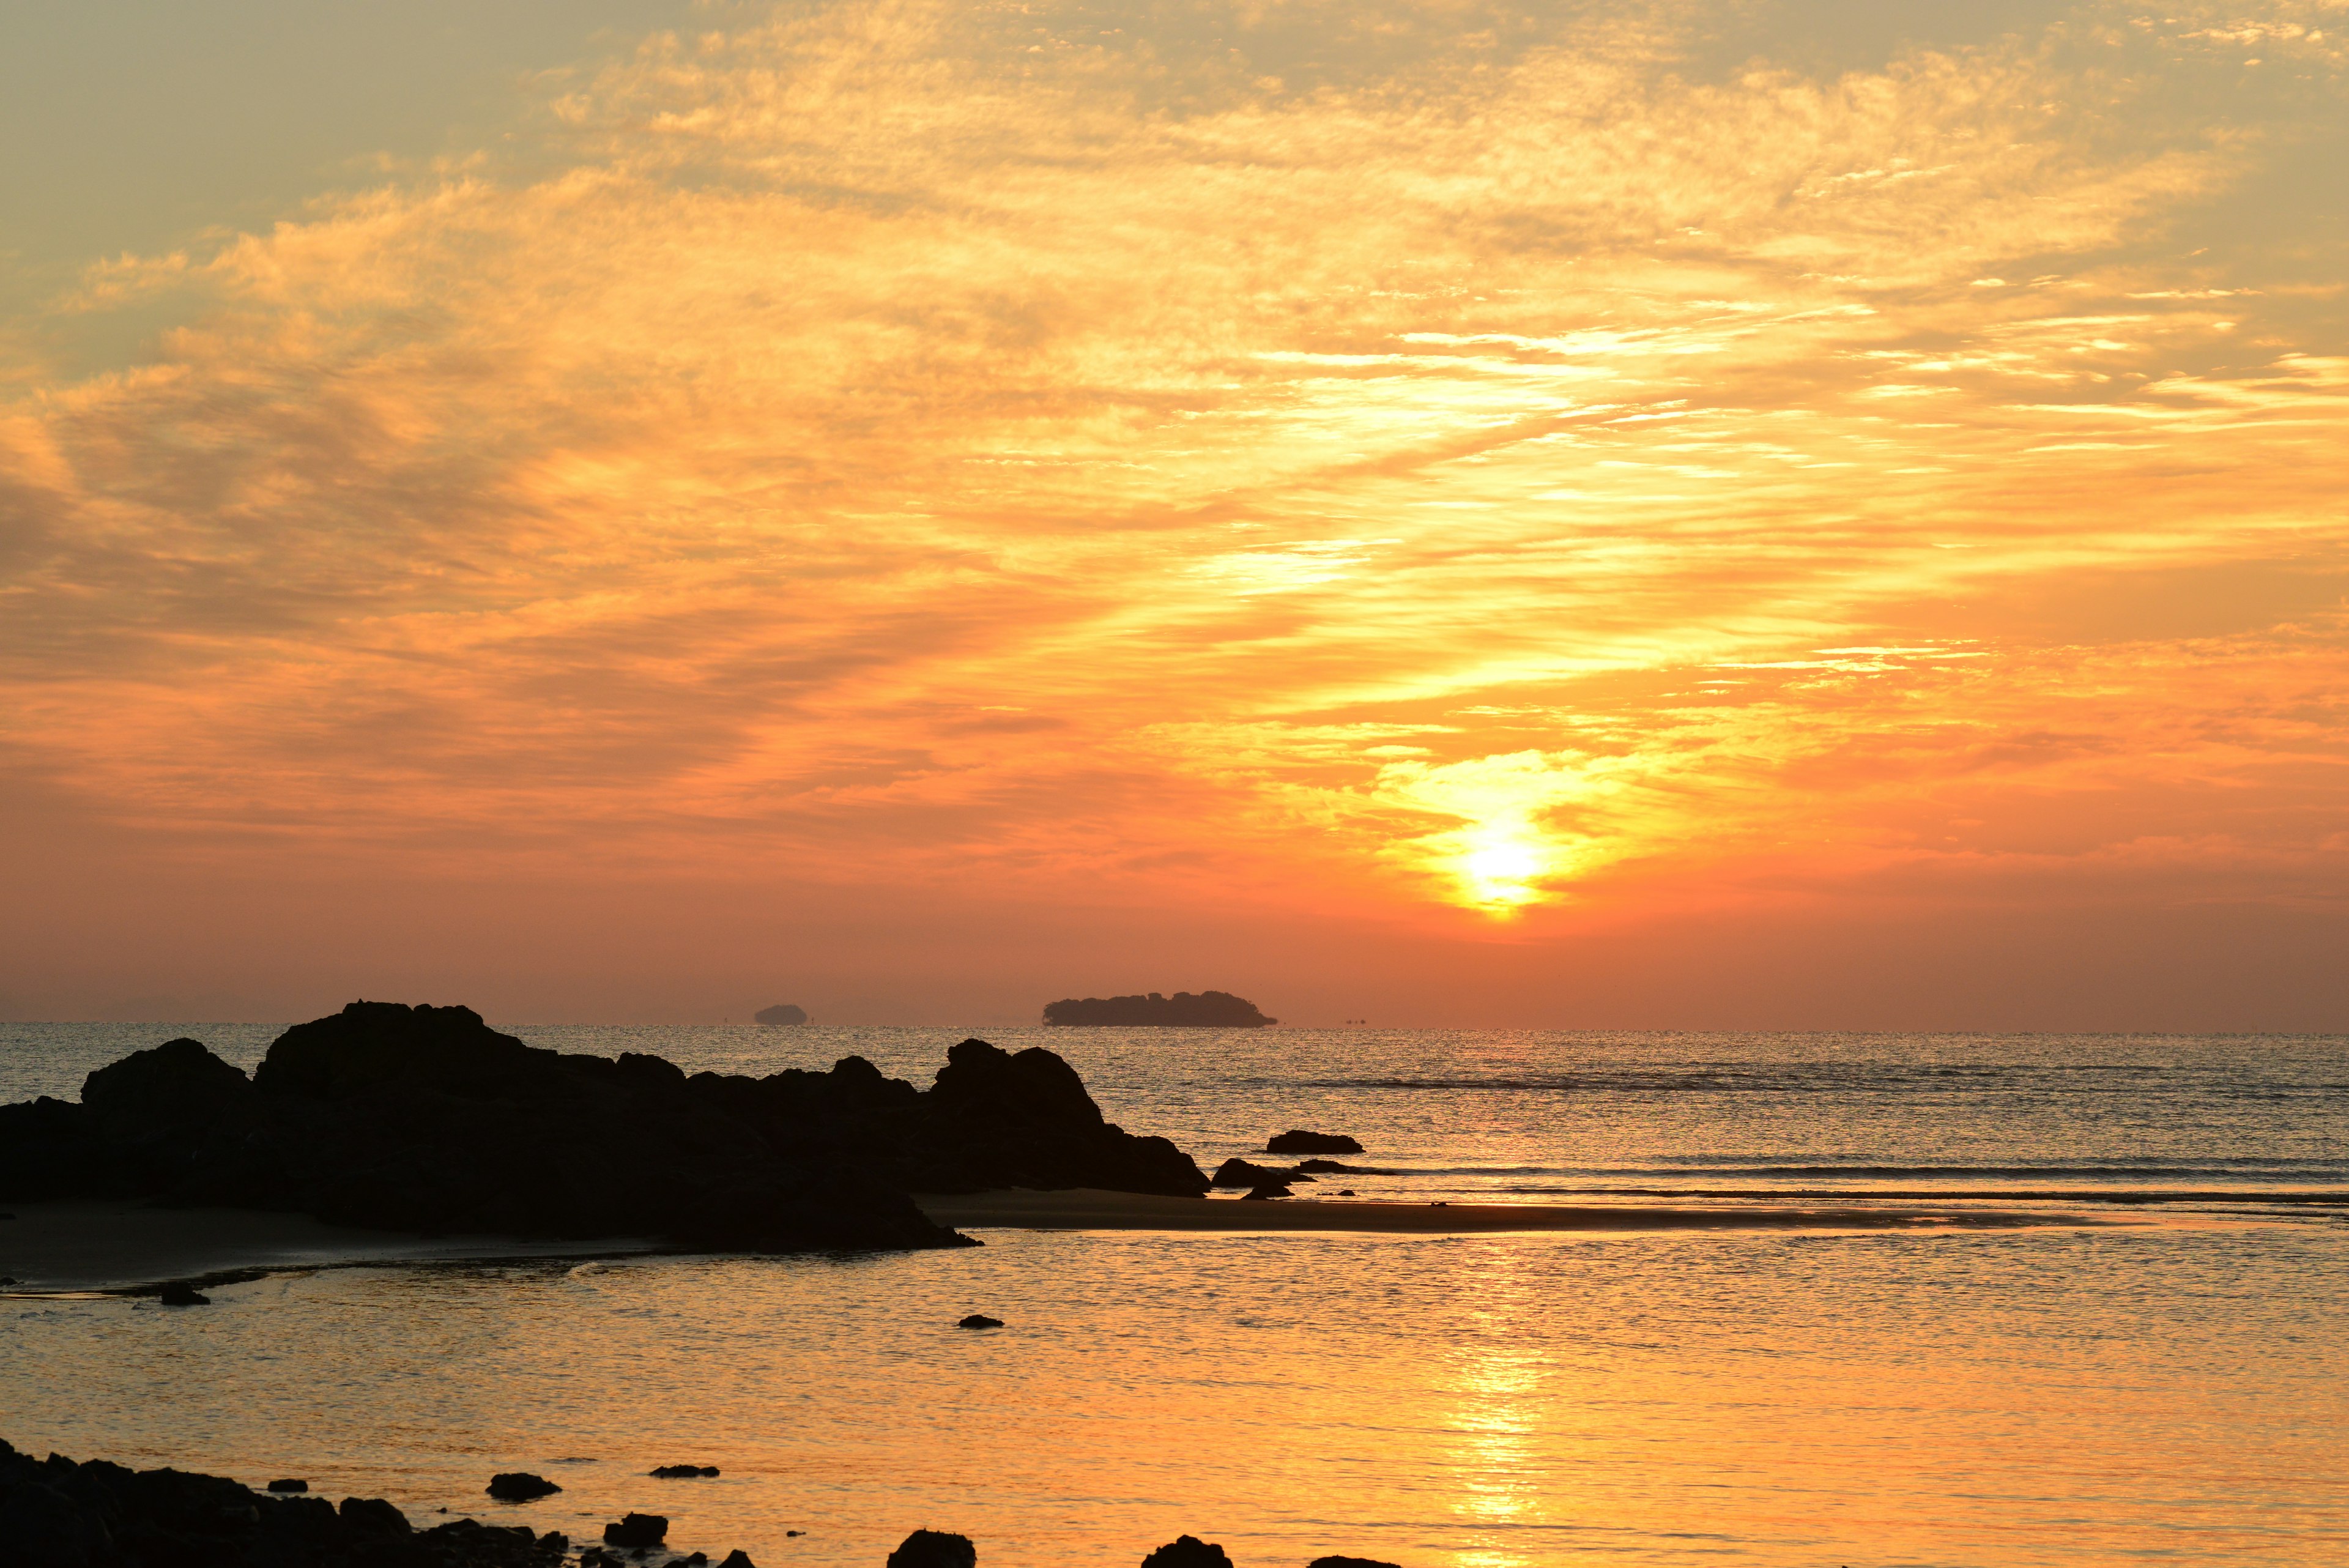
97	1515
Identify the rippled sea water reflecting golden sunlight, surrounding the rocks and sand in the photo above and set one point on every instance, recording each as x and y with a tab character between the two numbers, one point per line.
2174	1388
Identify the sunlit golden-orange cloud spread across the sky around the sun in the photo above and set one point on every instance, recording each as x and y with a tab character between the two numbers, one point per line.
1523	471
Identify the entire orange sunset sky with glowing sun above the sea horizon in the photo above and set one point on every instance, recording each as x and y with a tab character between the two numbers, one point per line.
1641	514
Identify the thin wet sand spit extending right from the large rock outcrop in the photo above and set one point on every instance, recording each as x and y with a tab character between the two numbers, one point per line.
1093	1209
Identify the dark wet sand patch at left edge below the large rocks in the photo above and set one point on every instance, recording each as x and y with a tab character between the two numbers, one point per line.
126	1245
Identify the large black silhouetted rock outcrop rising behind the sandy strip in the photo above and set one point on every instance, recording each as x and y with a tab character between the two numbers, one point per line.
426	1120
